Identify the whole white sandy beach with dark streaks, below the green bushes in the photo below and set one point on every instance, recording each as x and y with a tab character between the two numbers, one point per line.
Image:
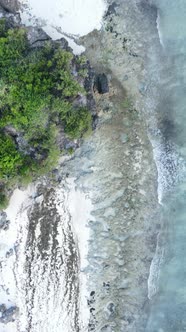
44	276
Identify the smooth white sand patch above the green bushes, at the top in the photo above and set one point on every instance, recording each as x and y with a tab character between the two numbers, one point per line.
60	17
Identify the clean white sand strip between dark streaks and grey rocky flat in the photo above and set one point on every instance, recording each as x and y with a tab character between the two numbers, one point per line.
80	207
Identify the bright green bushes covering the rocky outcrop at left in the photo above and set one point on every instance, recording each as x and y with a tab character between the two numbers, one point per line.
37	90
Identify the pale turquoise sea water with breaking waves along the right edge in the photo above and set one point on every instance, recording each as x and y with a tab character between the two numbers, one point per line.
167	312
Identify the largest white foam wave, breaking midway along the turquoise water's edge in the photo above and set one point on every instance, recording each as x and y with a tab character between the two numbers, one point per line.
171	167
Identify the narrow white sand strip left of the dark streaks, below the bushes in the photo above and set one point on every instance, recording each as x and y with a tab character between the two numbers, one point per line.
8	242
